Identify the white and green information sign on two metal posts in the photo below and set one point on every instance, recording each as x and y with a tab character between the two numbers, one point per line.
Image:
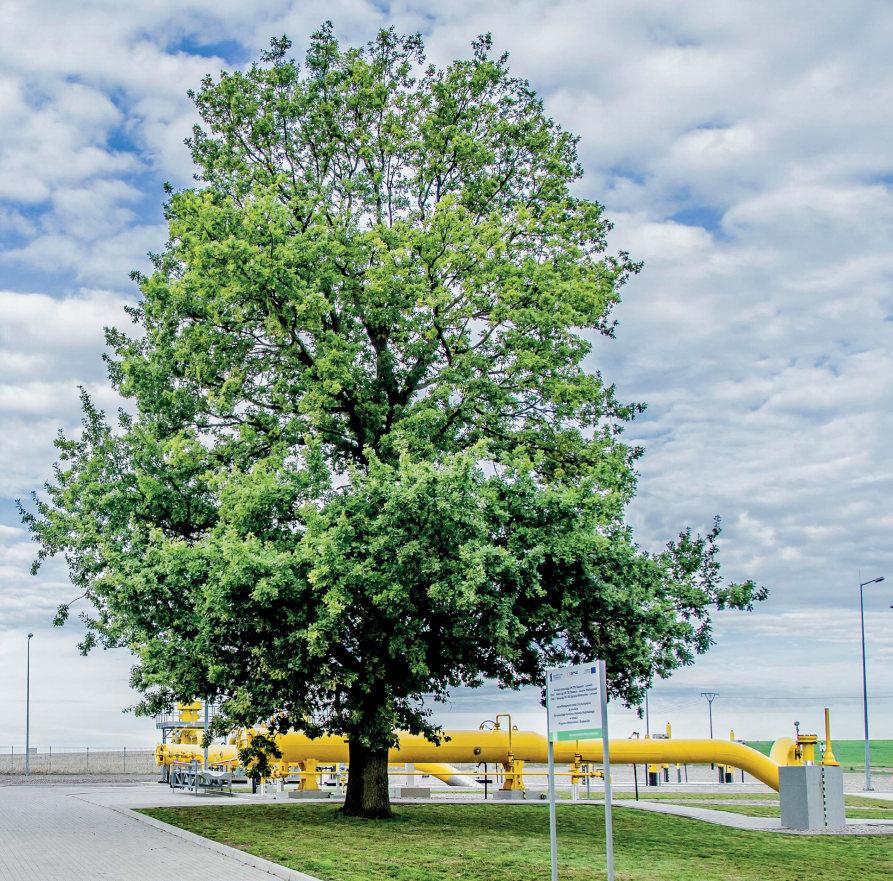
577	709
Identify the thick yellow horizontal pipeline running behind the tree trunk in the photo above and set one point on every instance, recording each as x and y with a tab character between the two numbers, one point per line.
528	746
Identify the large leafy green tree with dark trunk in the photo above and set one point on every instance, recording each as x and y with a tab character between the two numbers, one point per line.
363	462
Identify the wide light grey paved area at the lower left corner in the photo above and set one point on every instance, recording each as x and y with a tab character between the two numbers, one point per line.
70	833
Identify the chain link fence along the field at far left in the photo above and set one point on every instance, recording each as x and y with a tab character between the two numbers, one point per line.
78	760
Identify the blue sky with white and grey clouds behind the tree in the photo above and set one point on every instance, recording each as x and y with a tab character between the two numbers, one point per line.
742	151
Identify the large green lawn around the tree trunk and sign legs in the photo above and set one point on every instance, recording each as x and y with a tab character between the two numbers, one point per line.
511	843
